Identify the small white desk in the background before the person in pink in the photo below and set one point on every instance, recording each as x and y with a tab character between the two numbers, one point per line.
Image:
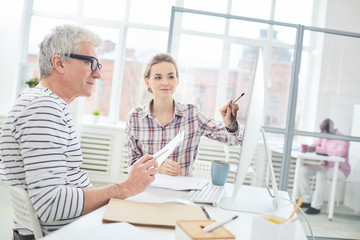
317	158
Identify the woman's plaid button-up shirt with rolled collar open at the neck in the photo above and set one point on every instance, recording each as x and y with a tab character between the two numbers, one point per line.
145	135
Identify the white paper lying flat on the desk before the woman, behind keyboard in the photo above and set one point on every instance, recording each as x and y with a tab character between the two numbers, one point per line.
178	182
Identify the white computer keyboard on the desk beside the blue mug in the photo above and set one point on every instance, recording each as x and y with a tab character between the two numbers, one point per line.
208	194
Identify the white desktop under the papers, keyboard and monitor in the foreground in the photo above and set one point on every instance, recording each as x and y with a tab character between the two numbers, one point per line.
241	227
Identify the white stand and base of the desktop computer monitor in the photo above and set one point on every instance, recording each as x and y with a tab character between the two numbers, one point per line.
260	202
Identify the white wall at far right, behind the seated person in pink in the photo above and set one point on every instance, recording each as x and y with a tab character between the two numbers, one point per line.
339	86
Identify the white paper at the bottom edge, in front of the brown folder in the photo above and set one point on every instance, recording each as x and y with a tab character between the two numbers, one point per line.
120	230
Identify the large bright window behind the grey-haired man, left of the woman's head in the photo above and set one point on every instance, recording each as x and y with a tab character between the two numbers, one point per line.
132	32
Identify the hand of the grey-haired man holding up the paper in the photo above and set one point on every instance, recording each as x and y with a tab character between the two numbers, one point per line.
141	175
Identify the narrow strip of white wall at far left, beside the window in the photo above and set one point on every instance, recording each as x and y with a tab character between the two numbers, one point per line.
10	22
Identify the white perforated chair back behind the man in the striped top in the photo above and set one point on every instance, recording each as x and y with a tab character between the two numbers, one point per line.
24	210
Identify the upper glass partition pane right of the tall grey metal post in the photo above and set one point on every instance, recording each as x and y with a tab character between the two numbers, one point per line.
335	90
